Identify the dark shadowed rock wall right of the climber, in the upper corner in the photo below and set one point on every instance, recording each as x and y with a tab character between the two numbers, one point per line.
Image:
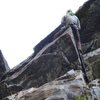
89	15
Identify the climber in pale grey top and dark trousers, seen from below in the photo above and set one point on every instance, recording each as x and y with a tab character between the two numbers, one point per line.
70	20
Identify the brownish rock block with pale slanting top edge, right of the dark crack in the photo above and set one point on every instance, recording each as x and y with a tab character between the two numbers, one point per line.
93	62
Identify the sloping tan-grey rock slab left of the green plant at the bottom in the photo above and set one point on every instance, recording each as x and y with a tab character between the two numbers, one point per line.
60	89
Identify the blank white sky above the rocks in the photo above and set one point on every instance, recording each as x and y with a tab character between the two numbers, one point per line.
23	23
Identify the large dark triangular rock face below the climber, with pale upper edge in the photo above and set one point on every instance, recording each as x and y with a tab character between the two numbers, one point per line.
50	63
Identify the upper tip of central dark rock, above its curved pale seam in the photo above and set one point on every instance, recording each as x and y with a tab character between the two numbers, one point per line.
63	44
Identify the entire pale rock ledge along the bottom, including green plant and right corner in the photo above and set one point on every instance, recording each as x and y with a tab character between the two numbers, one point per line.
70	86
